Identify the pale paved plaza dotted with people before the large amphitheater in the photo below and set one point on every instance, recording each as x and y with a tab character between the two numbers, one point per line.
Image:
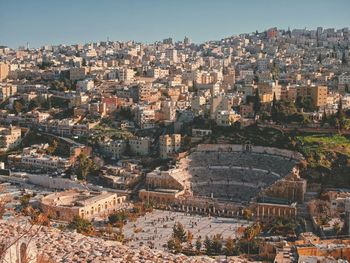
154	229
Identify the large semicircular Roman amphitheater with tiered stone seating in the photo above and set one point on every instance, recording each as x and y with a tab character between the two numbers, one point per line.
229	174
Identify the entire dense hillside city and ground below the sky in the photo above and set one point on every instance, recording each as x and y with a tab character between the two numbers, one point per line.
235	150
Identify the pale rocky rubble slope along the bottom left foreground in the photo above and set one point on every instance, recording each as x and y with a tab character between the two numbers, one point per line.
61	246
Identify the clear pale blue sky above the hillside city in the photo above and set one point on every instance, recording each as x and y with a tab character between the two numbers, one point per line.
43	22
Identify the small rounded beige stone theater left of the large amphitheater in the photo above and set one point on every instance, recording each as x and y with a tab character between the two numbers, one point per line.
88	205
